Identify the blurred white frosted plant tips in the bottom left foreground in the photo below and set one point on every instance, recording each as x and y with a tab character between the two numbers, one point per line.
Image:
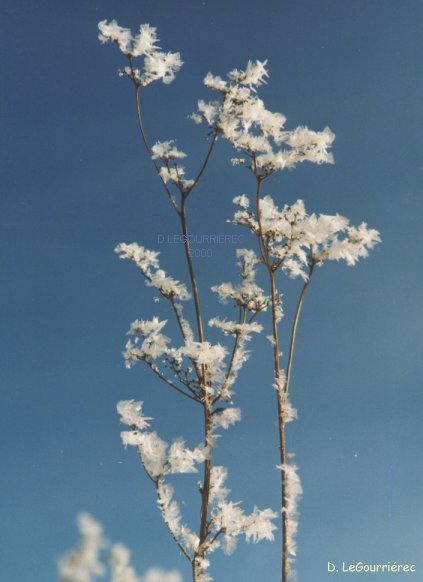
95	557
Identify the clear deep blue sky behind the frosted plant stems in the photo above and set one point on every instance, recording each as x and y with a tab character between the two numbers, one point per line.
75	182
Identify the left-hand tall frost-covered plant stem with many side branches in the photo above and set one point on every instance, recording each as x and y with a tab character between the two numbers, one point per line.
201	371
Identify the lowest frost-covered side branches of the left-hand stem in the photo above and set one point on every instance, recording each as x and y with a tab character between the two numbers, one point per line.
159	460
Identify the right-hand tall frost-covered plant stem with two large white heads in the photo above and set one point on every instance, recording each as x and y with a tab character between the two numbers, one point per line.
289	240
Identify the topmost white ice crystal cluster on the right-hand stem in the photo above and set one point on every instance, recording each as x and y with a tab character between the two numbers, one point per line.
241	117
